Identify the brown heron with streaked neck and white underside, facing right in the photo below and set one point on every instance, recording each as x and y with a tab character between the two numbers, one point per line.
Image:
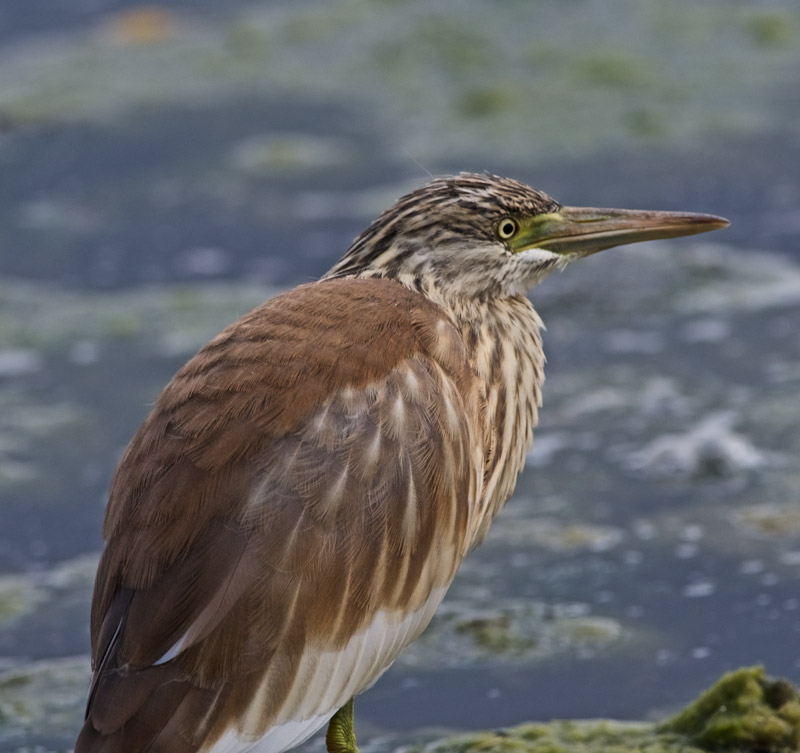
294	507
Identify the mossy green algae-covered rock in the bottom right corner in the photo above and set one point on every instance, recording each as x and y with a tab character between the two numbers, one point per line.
744	712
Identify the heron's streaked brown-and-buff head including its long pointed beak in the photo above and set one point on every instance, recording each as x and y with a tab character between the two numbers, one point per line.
482	236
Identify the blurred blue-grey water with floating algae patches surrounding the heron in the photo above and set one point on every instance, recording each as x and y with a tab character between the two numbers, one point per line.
163	168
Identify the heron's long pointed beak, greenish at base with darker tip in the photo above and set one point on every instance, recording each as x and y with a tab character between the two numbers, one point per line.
585	230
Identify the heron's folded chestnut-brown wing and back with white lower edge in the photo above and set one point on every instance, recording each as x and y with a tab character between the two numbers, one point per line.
306	478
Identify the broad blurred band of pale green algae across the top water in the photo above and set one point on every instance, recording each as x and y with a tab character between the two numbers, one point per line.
489	76
